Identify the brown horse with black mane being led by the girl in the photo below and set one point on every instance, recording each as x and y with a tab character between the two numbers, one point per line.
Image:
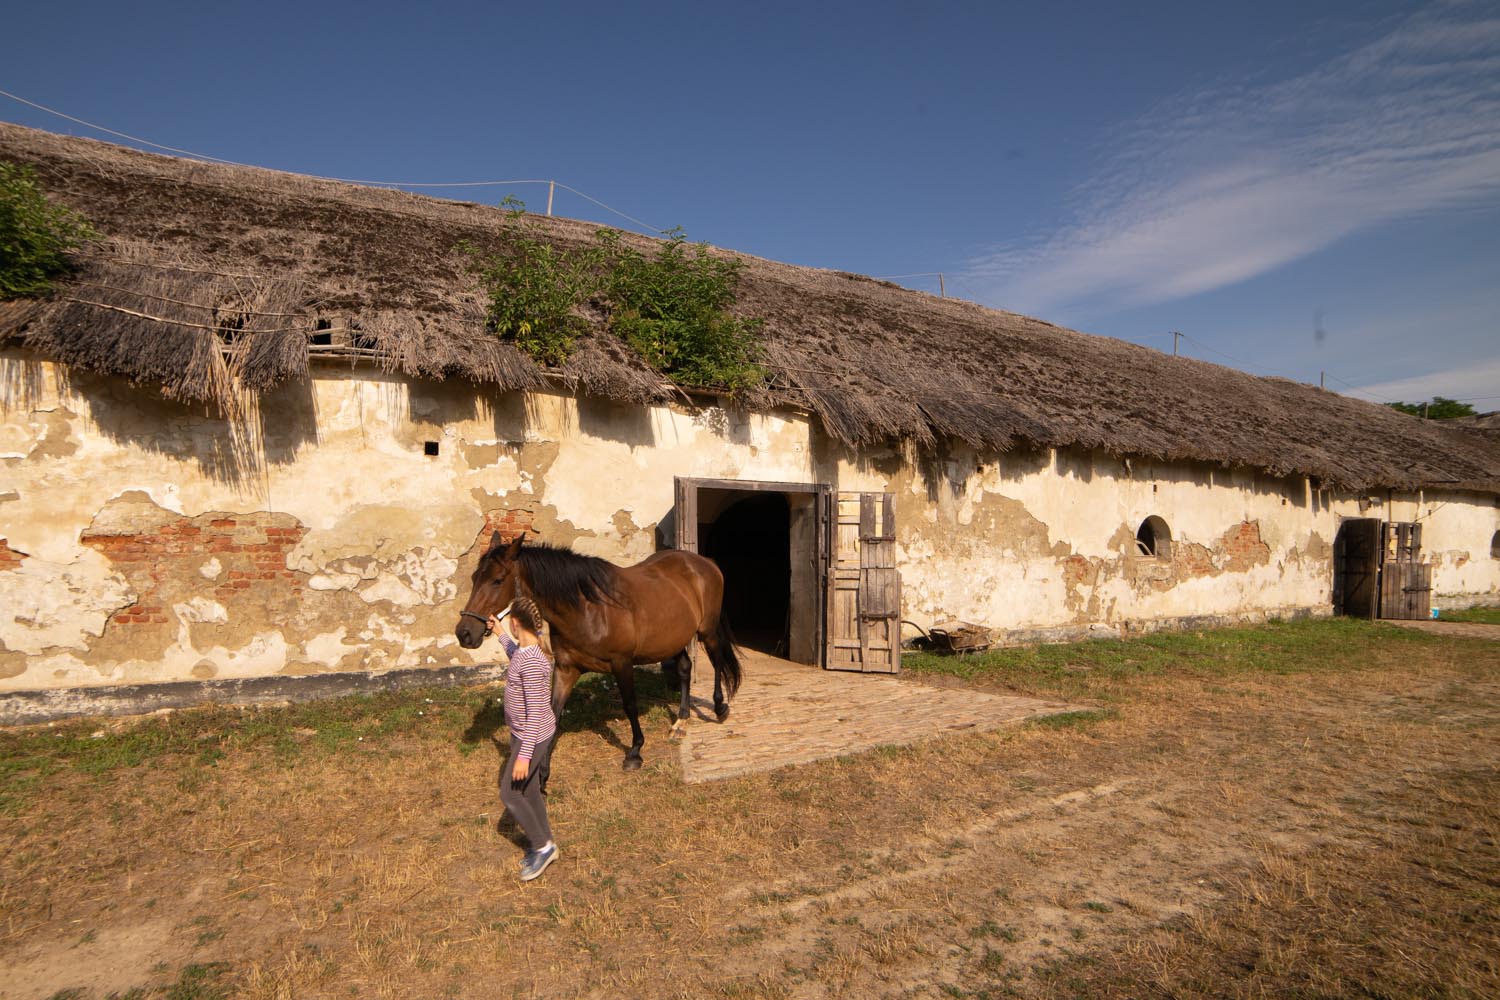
608	618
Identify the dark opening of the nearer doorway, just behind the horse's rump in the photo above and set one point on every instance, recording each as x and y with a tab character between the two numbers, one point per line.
751	542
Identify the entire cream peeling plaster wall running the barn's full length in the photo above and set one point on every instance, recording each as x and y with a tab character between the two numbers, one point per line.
145	540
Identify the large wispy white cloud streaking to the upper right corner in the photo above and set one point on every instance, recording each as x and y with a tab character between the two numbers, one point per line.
1217	188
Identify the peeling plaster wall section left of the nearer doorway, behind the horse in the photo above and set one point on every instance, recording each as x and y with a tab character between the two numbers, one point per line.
146	540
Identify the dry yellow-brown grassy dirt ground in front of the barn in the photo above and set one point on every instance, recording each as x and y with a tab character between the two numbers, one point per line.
1214	828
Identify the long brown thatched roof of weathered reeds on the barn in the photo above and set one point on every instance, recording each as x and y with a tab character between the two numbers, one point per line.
310	268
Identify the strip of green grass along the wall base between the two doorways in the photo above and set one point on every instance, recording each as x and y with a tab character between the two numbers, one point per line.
1103	669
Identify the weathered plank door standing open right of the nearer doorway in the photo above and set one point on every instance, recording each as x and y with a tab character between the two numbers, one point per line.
865	587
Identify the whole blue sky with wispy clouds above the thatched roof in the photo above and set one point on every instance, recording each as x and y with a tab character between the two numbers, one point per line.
1298	188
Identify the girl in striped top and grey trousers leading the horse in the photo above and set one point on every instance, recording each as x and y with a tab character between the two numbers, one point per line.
529	714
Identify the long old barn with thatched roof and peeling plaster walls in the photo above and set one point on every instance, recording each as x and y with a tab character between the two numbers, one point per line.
263	431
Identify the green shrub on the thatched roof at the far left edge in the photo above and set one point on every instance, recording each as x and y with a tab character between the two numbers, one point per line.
35	235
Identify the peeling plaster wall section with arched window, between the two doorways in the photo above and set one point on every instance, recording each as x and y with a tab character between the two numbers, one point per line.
1039	540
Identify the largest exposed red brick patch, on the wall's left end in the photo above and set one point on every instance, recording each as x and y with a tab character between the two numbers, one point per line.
250	548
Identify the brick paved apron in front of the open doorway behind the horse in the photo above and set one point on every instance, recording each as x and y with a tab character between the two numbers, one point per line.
788	713
